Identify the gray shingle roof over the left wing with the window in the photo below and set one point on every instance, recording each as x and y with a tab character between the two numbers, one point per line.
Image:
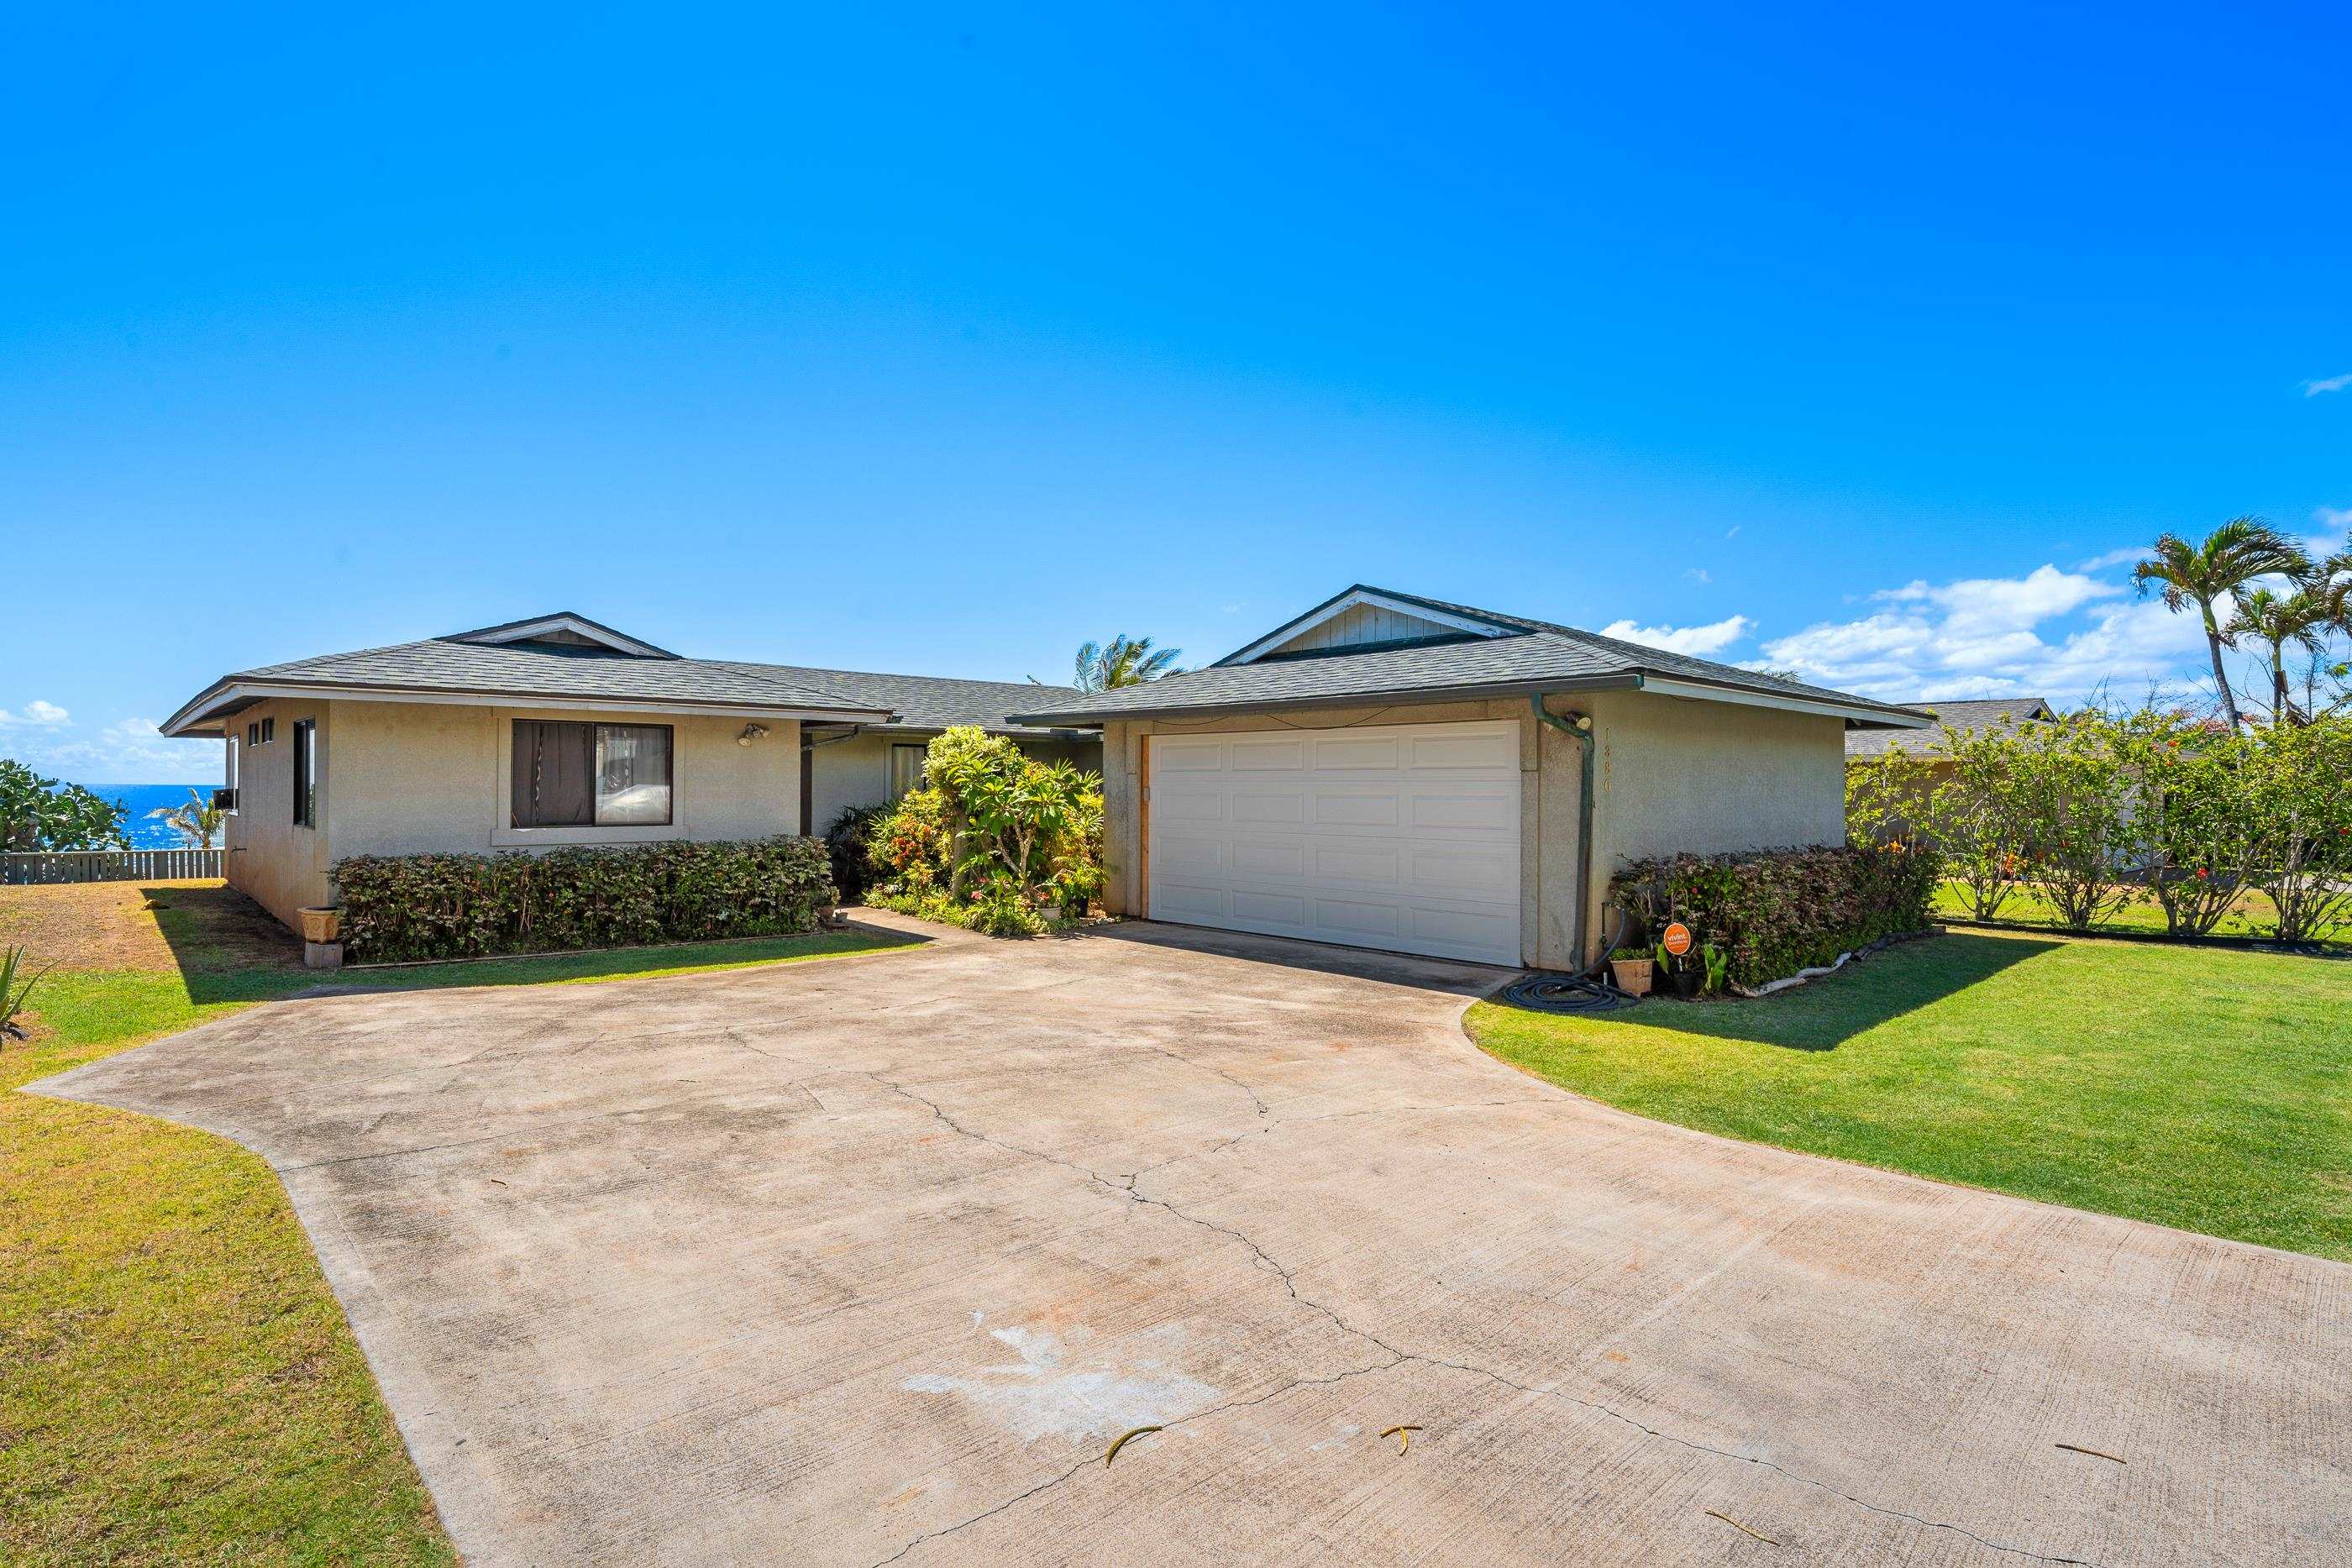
580	674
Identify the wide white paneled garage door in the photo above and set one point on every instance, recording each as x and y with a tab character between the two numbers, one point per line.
1401	838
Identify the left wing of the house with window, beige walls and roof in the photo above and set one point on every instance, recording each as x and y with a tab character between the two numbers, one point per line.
561	732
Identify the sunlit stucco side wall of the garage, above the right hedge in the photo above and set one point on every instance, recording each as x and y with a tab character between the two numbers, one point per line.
1688	777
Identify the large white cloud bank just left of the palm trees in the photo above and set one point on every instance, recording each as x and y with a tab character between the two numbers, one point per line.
2047	634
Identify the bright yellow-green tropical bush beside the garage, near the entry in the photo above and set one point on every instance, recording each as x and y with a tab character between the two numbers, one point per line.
996	840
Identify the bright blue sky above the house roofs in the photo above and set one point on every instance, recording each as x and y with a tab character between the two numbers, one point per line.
937	340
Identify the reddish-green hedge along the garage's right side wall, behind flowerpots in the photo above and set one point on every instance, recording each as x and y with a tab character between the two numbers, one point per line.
1782	911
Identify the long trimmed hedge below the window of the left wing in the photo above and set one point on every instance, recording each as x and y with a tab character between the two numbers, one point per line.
401	909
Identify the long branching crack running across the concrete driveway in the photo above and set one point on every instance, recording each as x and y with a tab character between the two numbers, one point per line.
1396	1358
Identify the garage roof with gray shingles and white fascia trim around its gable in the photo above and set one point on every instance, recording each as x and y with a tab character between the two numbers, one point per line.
1476	652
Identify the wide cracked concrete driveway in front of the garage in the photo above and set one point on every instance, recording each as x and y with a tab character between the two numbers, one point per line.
869	1261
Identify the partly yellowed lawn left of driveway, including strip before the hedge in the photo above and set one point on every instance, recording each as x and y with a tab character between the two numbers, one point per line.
178	1383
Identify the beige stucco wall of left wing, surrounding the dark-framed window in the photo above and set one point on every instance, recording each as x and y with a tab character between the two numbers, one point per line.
401	779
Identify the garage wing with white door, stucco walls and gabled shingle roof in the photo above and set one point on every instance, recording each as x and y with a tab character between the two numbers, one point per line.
1424	777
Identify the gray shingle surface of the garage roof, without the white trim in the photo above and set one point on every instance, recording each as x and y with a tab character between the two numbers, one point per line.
1530	657
